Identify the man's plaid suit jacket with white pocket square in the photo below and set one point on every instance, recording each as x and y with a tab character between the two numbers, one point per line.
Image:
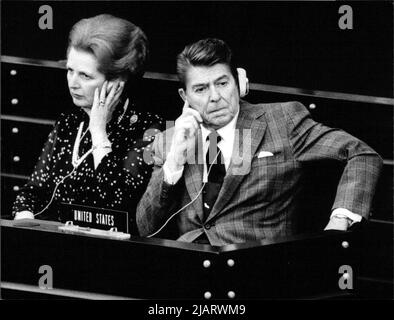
257	200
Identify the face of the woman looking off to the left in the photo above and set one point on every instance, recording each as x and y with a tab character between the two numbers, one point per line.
83	77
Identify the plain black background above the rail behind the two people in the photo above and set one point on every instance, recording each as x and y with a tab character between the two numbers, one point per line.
296	44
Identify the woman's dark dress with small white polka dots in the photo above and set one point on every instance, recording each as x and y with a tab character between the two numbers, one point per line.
117	183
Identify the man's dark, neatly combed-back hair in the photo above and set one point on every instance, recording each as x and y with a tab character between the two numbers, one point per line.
204	53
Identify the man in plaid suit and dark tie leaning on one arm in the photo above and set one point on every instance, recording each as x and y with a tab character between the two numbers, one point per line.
229	171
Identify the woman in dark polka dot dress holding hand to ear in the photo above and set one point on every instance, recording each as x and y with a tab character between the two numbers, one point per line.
94	155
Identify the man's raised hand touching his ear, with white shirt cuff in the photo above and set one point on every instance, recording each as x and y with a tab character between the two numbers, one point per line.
186	127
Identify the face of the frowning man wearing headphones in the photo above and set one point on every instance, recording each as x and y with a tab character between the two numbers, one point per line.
213	92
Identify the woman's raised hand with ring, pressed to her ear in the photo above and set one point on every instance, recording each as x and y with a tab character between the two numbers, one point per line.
102	109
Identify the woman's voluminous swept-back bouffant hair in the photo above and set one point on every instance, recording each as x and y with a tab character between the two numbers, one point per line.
120	47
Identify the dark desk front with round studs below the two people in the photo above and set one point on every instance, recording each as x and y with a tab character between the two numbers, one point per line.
297	267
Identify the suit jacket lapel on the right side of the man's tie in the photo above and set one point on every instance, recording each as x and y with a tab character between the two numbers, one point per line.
248	136
